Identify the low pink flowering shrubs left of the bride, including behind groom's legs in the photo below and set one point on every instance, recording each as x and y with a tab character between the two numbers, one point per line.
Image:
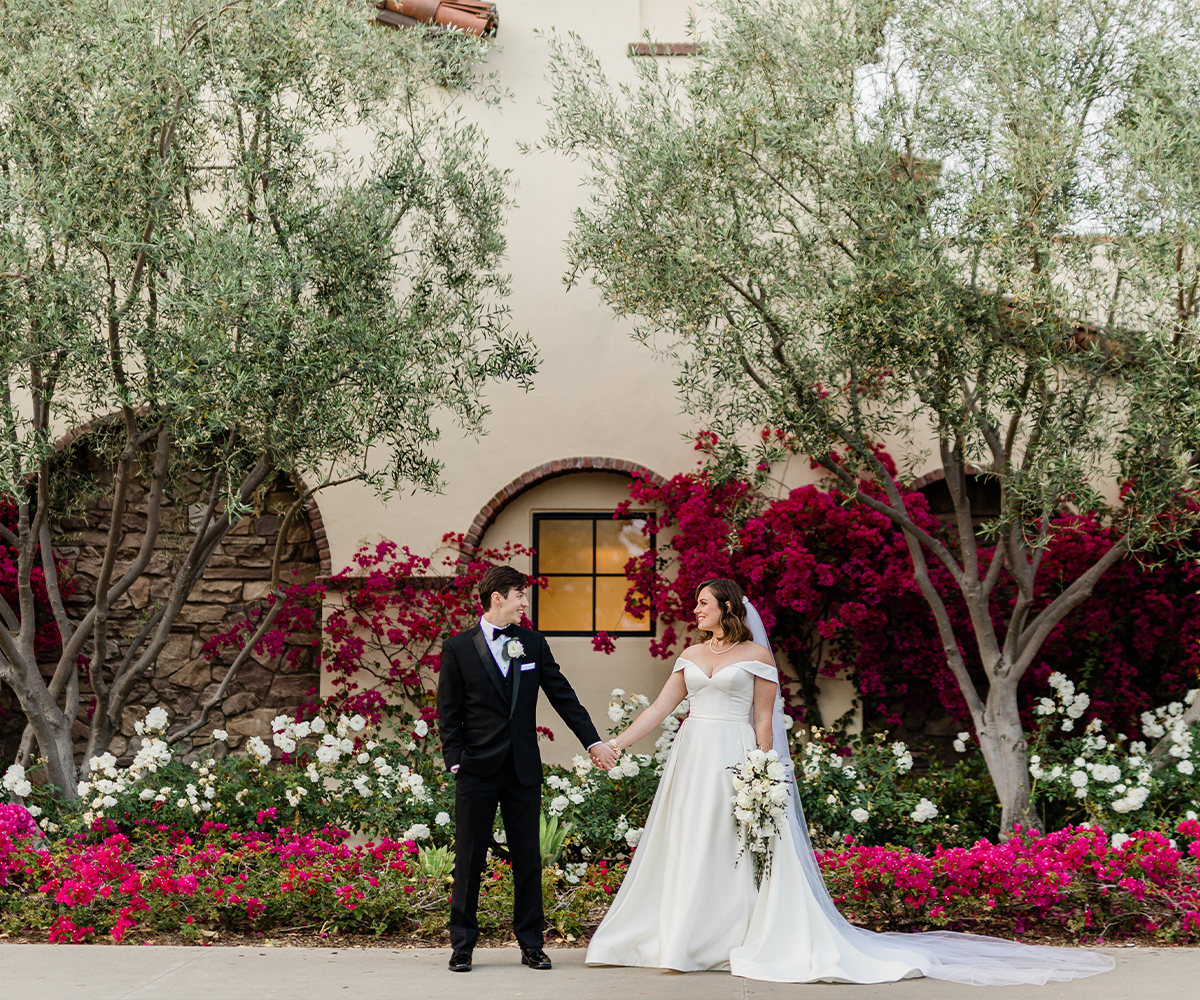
159	878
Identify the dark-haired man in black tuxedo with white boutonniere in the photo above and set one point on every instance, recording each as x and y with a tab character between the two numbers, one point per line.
488	702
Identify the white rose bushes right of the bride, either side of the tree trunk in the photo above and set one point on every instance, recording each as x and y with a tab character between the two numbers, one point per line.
867	788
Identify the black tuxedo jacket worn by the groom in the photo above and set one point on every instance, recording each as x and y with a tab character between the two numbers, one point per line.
481	720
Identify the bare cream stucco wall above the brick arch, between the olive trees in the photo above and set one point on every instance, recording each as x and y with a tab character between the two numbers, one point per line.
597	393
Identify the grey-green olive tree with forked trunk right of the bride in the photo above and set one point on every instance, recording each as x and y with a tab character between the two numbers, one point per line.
961	227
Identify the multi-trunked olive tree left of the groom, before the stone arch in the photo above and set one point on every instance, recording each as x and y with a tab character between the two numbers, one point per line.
195	259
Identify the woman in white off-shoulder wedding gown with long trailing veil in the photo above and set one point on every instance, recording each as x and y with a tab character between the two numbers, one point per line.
688	905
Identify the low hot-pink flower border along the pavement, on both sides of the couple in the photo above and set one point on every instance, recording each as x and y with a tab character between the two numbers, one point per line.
161	879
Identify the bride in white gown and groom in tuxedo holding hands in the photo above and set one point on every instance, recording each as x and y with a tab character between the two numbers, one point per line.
687	903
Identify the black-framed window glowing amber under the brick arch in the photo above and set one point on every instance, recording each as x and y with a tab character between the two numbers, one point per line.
584	559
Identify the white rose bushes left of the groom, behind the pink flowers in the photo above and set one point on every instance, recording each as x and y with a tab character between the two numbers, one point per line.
313	775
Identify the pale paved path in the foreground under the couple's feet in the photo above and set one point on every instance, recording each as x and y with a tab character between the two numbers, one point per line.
99	973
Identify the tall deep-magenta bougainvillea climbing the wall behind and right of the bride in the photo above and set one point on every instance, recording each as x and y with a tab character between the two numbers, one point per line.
833	582
